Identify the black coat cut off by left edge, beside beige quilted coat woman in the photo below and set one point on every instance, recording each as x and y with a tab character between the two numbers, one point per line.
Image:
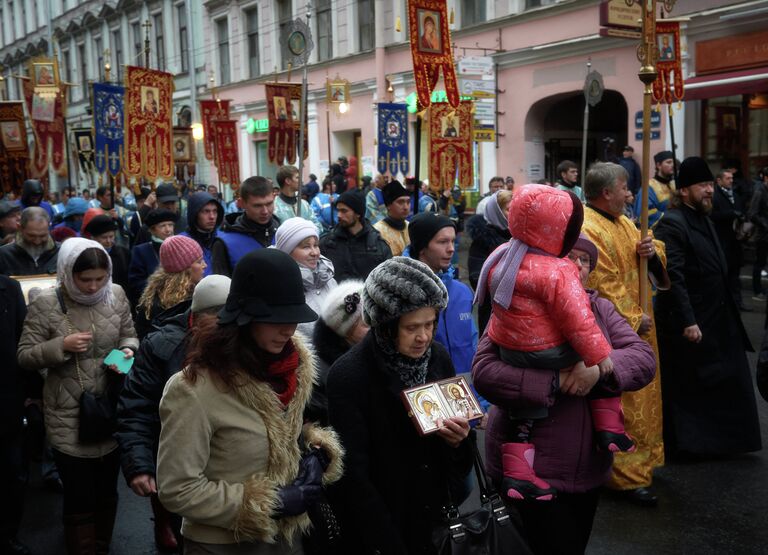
12	381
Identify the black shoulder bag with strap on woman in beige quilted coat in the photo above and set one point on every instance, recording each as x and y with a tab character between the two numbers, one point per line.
98	413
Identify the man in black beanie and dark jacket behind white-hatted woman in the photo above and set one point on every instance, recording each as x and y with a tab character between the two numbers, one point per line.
354	246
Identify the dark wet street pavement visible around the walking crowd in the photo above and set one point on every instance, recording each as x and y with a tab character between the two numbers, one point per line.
706	507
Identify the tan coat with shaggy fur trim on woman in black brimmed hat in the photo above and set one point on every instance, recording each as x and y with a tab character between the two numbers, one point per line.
224	454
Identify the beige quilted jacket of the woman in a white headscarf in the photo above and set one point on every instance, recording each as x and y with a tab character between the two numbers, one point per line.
42	346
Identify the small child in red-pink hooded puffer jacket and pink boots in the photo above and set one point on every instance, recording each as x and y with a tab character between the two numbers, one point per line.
542	319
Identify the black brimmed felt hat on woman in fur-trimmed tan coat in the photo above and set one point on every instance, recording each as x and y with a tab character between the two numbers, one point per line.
266	287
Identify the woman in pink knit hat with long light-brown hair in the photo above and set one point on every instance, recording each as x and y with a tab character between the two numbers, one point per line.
169	289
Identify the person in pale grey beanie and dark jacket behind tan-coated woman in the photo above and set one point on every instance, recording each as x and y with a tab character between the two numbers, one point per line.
161	354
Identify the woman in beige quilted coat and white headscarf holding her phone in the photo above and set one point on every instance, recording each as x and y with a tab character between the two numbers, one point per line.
70	330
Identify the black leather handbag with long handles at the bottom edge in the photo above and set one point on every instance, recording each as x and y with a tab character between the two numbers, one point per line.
488	530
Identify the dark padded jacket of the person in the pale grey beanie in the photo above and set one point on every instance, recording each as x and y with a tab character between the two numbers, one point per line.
161	355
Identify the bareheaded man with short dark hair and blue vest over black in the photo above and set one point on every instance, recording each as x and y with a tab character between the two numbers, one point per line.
253	228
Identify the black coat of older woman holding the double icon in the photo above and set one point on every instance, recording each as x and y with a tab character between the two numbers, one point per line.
395	481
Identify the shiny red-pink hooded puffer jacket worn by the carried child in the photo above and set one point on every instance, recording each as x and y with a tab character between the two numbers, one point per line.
549	305
